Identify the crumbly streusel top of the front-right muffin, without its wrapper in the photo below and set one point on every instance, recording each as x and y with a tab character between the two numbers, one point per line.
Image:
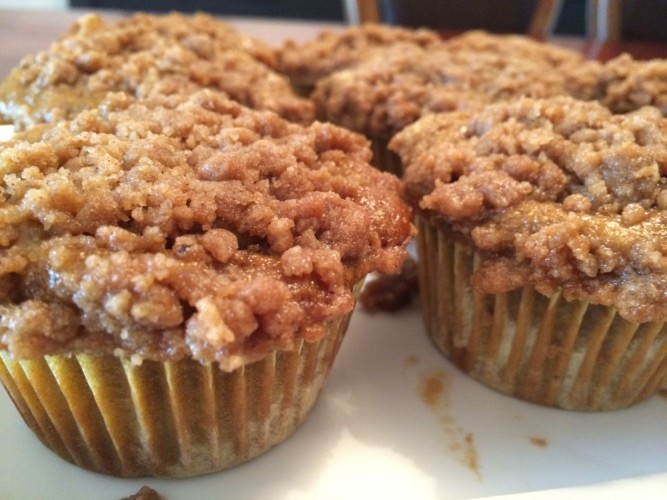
555	193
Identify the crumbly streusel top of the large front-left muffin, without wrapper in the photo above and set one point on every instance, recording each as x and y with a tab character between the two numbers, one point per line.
187	226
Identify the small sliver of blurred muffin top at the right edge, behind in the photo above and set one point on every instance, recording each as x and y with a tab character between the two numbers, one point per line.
630	84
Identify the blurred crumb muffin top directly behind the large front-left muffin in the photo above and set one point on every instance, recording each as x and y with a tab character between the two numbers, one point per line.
145	55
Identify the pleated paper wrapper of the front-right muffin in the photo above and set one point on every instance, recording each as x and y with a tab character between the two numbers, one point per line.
567	354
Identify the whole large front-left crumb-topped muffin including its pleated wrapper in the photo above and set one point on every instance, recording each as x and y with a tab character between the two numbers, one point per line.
177	274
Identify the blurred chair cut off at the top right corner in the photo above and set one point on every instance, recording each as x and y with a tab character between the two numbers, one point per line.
616	20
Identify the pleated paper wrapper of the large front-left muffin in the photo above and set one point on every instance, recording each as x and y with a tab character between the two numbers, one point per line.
170	419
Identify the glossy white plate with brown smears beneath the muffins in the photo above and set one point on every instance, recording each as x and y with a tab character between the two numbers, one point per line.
374	435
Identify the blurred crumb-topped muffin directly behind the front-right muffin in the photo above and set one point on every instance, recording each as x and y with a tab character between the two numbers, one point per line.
380	96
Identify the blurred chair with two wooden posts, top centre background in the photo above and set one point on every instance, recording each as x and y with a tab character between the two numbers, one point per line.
540	21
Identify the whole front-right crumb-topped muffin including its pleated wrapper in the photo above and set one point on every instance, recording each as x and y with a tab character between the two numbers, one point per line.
542	258
